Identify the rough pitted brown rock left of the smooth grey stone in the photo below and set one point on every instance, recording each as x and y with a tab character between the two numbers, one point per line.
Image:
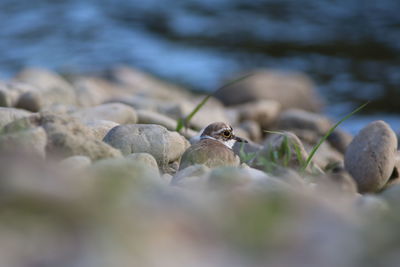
66	136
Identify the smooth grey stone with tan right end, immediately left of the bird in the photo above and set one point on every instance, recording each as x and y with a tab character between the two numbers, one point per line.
163	145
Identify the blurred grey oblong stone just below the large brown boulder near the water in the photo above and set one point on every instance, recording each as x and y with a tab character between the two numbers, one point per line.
303	120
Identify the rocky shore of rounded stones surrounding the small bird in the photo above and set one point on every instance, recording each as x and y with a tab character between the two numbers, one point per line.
92	163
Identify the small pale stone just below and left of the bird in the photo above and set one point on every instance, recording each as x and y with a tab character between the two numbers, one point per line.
191	176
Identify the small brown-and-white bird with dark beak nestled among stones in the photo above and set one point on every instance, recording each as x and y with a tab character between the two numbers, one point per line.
214	148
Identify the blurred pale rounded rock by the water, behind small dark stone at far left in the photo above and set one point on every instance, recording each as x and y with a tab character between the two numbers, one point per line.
51	87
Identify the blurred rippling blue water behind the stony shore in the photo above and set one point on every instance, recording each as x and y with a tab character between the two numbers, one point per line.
351	48
